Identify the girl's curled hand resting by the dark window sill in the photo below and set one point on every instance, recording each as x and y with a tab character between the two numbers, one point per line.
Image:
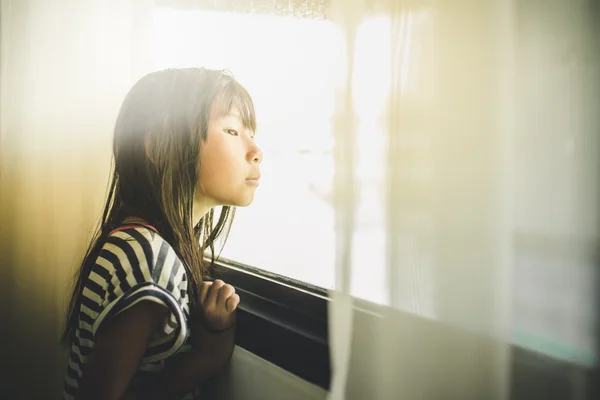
218	302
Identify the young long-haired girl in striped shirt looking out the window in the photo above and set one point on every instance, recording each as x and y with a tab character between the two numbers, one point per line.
143	323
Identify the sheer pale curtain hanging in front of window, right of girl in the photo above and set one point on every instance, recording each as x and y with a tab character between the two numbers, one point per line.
464	123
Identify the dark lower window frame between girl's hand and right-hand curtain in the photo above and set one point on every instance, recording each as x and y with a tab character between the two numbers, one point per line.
281	320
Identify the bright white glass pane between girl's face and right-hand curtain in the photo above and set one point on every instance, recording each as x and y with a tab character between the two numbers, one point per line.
290	66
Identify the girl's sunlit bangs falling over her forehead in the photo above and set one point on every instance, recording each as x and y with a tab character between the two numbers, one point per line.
233	95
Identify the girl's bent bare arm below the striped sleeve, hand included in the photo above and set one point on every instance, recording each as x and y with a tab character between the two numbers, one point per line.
122	341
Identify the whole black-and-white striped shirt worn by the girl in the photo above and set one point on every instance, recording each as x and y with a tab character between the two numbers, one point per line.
134	264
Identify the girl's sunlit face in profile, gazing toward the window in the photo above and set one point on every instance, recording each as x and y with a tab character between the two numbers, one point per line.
229	170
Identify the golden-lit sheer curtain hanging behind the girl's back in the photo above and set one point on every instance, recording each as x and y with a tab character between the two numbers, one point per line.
65	67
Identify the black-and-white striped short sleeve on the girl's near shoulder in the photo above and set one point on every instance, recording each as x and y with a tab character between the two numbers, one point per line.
144	267
